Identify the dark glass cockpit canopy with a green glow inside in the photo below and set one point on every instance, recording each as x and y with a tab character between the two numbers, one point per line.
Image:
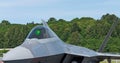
39	32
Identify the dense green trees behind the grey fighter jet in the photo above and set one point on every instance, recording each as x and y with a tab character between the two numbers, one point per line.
85	31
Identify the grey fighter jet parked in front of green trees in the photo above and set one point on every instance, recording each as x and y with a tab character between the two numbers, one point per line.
42	45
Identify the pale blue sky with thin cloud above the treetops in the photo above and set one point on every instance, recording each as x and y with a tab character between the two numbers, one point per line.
26	11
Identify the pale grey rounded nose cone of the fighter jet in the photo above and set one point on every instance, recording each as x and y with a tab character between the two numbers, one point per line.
17	53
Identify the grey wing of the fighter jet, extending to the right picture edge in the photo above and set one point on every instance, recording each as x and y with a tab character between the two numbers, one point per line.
81	51
